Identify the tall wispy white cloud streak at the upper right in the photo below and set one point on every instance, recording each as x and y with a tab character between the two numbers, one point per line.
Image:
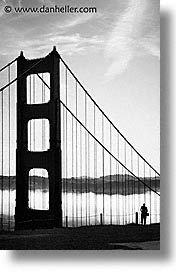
136	32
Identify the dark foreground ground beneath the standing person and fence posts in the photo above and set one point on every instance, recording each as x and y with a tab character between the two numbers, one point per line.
124	237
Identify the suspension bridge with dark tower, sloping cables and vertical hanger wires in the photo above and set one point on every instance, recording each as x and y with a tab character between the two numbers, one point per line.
62	160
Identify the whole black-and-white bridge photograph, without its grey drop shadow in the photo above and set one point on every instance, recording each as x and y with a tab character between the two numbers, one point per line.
80	125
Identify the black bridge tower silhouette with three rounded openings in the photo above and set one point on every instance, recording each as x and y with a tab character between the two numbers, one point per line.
49	160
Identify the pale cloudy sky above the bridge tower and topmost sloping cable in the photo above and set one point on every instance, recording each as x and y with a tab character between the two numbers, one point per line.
115	53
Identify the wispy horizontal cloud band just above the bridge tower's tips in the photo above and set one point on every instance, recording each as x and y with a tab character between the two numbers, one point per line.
40	44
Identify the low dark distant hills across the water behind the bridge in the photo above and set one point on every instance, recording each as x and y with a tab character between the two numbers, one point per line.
114	184
